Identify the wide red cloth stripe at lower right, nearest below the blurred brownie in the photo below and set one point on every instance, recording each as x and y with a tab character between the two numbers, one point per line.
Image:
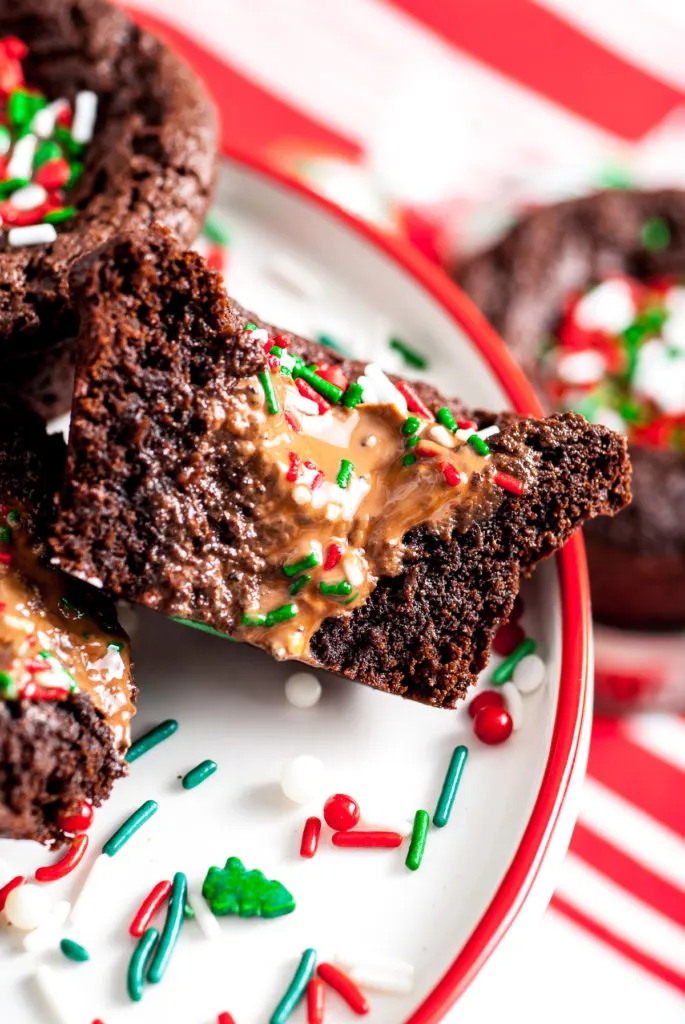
637	776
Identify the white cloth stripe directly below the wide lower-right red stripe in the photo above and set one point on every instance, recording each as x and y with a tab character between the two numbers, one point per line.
647	840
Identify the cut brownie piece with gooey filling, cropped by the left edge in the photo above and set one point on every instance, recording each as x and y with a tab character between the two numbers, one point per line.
66	691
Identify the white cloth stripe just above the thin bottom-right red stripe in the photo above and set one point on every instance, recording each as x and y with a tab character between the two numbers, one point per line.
622	914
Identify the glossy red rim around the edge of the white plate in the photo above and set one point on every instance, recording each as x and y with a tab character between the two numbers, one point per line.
574	684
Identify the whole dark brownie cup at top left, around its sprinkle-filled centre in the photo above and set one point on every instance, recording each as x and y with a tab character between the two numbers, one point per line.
152	158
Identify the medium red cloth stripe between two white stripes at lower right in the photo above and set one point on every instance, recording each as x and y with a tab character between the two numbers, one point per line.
628	874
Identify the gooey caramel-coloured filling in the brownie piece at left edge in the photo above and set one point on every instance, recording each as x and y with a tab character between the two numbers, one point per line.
50	648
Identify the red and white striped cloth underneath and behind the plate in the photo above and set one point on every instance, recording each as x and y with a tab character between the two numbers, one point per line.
440	119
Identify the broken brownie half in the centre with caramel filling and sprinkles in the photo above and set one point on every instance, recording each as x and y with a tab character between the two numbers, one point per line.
369	540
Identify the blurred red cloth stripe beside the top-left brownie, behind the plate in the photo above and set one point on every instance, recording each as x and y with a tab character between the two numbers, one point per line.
254	118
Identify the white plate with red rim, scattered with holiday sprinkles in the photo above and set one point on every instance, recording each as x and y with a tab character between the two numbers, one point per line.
478	873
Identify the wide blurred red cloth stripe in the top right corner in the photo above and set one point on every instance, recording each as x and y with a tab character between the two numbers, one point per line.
548	55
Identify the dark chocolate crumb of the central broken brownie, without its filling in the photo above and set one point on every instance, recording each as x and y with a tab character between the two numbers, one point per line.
164	508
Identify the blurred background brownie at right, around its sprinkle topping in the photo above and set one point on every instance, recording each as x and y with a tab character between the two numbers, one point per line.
637	561
